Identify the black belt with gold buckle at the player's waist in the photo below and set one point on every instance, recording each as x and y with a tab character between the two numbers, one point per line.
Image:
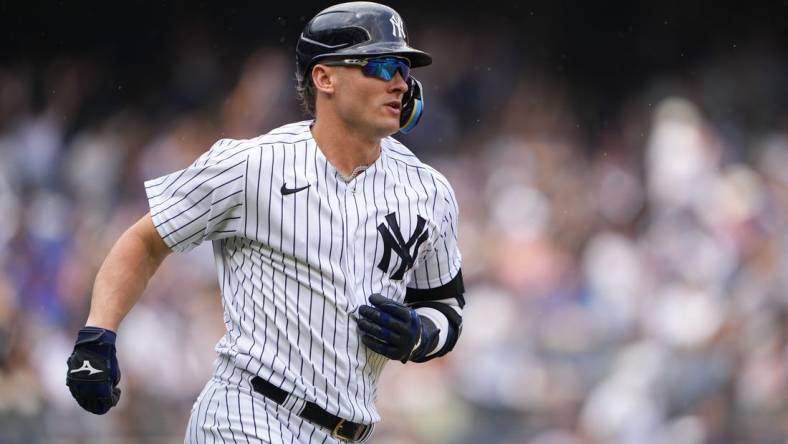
340	428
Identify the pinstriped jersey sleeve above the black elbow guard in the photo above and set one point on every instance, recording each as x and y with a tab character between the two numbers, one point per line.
442	260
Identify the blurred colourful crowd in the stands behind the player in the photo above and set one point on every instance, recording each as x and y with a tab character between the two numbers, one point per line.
630	287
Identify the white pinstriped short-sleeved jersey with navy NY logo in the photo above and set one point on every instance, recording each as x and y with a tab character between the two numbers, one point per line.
298	249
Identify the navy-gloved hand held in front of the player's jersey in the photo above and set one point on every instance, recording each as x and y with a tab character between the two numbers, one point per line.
395	330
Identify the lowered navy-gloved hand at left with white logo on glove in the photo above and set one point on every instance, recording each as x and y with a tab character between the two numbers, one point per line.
93	372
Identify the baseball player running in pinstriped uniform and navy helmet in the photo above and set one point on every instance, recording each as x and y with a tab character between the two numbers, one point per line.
335	247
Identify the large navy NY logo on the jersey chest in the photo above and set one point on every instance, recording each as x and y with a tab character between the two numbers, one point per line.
393	240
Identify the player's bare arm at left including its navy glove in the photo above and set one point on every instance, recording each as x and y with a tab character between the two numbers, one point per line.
93	372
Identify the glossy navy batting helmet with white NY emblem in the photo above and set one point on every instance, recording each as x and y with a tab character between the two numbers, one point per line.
363	29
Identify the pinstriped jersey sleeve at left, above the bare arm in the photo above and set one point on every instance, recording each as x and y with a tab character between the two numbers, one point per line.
204	201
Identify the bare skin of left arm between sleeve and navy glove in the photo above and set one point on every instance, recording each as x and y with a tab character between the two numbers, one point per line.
125	273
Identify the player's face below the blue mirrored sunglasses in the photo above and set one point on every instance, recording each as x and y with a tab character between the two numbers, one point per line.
369	102
